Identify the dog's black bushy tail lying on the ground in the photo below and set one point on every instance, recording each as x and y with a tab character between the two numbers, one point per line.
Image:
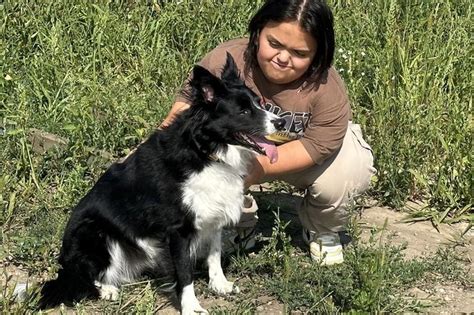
69	287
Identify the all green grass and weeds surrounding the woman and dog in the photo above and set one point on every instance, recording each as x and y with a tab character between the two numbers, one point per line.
102	74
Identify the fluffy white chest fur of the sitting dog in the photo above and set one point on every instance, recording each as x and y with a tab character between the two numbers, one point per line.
215	195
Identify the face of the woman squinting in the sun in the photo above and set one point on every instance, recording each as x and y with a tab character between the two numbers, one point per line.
285	51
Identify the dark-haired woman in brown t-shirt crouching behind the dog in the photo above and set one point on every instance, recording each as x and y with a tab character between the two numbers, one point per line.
287	61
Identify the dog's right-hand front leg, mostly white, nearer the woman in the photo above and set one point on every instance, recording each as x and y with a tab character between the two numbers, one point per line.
217	280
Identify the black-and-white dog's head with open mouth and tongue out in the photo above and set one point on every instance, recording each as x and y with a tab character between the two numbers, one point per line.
230	113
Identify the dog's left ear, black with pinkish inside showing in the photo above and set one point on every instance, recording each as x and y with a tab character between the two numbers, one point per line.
205	84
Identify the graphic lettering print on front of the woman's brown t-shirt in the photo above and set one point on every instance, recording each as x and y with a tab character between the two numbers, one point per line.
295	123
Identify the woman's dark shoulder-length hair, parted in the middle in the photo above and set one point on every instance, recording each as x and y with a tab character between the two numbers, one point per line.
314	16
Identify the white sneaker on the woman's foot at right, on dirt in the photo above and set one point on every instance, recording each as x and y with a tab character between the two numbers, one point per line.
324	248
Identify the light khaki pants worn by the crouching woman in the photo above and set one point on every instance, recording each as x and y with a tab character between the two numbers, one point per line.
330	186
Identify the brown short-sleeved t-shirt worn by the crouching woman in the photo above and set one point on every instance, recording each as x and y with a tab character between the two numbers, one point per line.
316	113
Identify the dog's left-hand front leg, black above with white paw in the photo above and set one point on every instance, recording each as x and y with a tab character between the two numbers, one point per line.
184	268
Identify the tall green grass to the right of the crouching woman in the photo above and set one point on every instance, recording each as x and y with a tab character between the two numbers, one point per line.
408	67
